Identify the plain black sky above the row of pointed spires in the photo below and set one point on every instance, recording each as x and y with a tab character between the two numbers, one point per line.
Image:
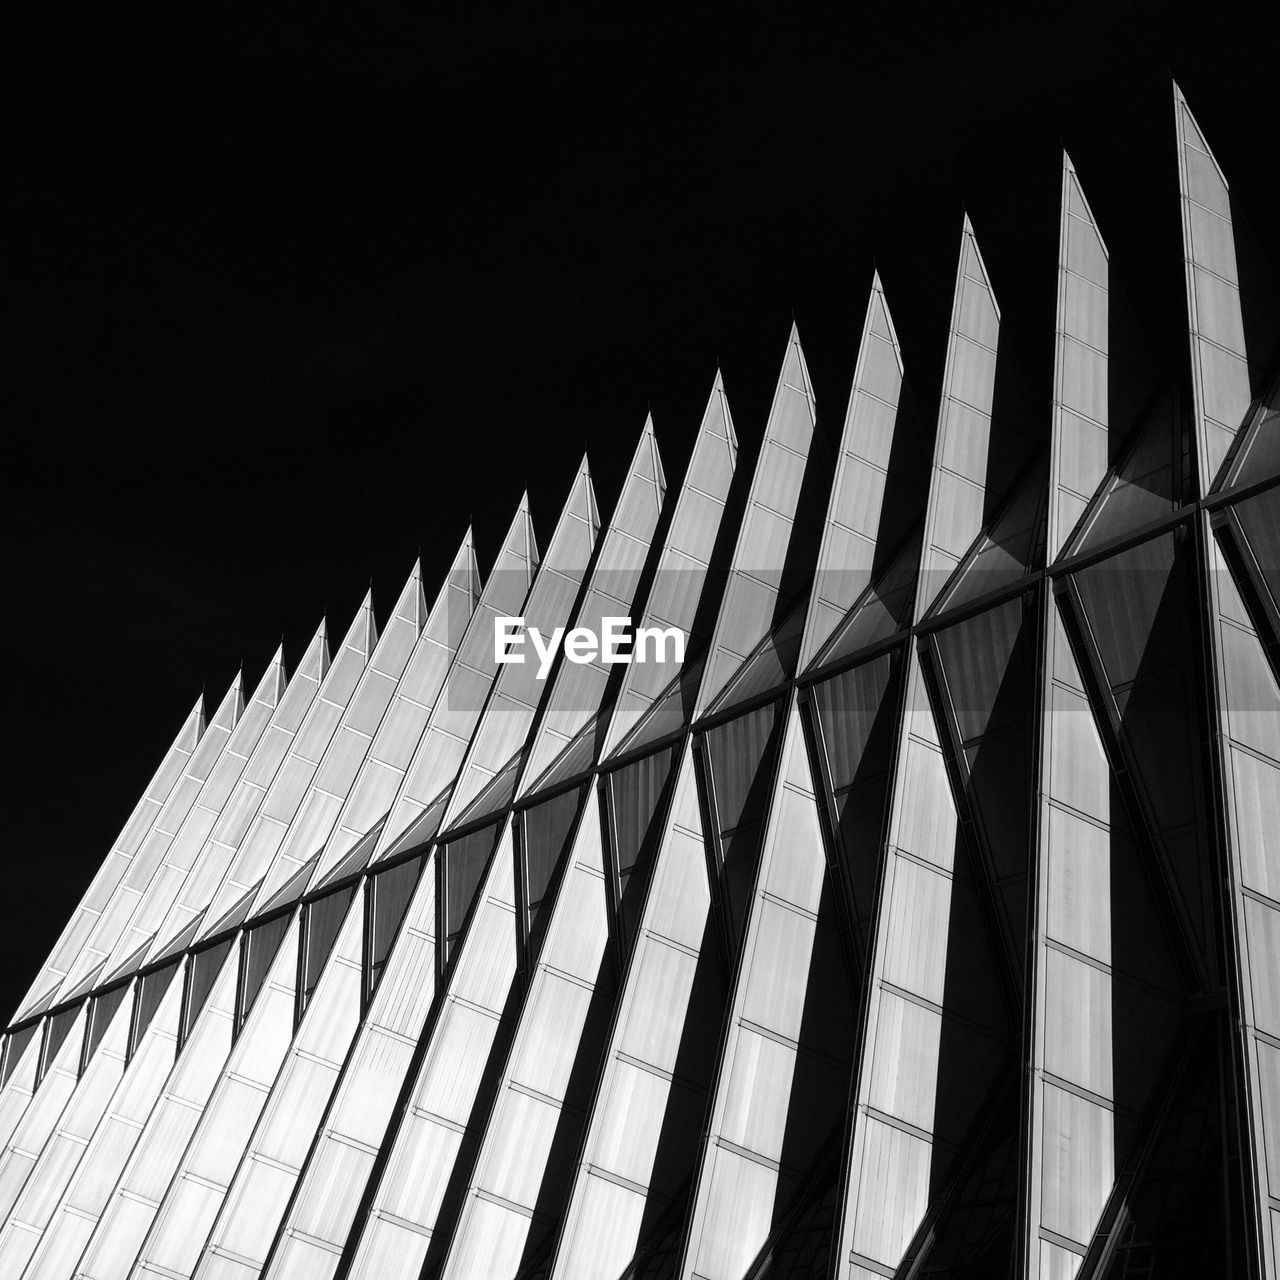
287	298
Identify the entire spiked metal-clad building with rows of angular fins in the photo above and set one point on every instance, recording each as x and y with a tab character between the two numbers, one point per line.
920	917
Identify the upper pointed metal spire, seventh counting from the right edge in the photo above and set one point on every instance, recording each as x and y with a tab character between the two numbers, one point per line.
580	688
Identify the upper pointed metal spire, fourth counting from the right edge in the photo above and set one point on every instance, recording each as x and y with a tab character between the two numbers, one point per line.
868	511
